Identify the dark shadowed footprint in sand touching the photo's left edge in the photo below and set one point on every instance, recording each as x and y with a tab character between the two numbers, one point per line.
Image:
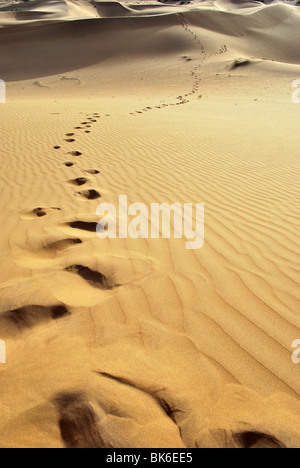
18	320
